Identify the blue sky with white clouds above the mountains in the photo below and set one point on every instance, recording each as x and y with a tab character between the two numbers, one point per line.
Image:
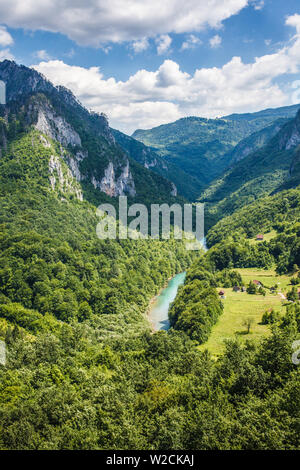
149	62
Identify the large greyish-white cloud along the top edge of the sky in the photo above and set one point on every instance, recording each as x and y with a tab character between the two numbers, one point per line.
98	22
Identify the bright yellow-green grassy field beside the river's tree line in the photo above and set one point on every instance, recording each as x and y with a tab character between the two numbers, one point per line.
239	306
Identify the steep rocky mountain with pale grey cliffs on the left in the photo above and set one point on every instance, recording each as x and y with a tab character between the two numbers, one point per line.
87	145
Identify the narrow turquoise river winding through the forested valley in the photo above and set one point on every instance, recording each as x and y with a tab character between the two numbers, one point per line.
158	314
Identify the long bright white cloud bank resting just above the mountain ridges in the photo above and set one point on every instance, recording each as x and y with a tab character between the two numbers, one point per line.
150	98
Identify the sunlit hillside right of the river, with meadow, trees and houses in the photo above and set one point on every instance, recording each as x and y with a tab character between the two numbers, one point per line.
220	295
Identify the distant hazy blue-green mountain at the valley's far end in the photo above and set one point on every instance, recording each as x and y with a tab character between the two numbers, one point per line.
203	148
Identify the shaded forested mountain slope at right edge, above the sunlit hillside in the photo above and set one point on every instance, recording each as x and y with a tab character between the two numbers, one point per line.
269	169
